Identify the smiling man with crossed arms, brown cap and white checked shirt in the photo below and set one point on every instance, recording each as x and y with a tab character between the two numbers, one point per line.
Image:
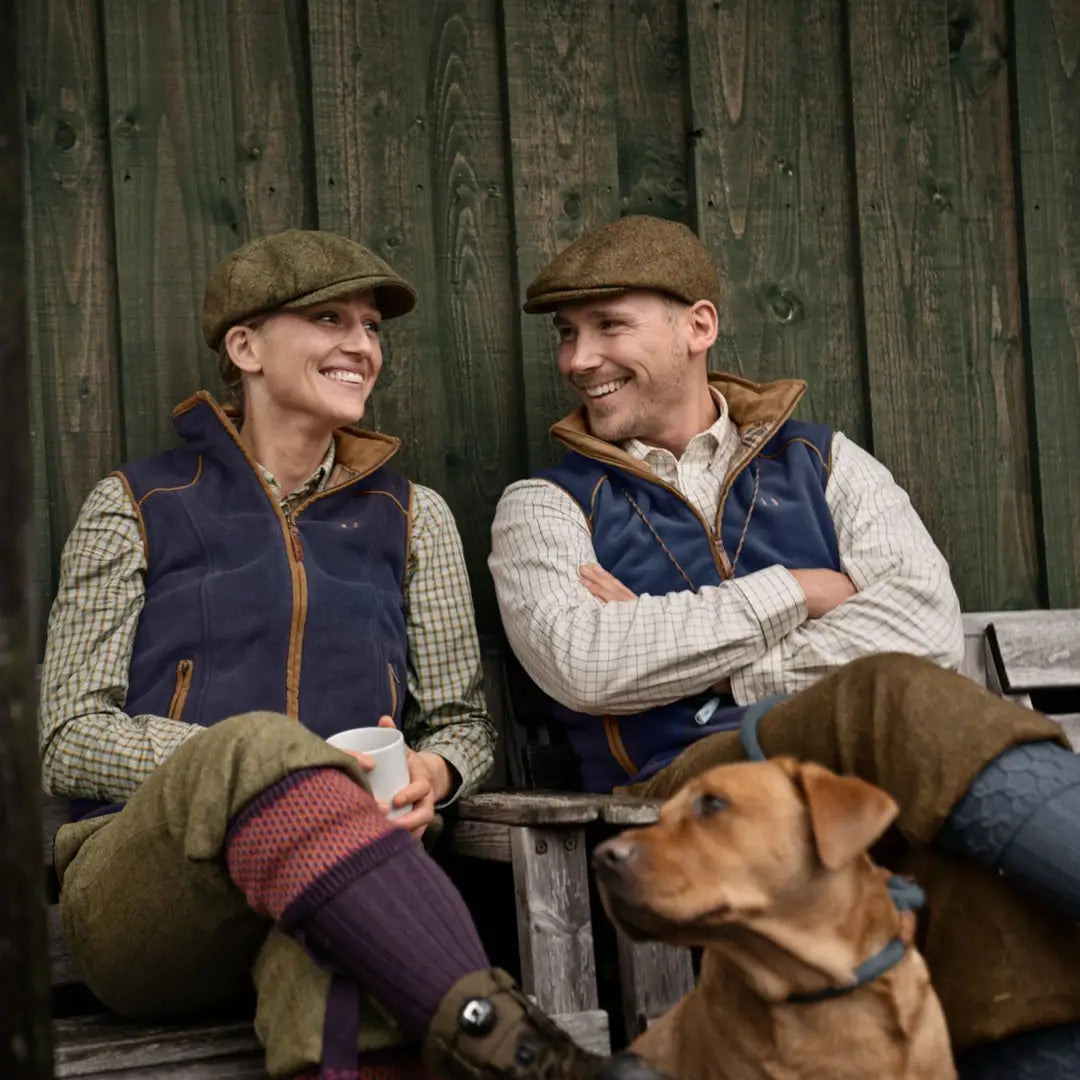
697	551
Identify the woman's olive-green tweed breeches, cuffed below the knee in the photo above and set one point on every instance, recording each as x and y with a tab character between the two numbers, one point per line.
153	921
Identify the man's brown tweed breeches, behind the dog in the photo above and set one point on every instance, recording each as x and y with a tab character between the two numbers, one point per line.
1002	962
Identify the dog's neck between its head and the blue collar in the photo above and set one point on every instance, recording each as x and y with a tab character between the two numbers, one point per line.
781	956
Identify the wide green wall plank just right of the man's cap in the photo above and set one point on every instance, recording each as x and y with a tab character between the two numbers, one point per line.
773	196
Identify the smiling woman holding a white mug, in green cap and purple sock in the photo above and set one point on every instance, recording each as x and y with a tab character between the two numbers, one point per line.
275	570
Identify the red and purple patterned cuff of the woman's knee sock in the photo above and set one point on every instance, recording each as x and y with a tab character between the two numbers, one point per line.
301	832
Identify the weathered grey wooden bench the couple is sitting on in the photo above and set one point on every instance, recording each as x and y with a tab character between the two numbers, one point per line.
544	839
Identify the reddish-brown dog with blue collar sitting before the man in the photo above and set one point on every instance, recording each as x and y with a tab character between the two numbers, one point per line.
765	866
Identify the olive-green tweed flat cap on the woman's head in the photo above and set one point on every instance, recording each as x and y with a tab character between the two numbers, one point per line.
294	269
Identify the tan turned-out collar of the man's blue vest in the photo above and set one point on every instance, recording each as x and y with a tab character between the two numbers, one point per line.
755	409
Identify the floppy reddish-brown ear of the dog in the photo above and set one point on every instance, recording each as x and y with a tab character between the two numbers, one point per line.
847	814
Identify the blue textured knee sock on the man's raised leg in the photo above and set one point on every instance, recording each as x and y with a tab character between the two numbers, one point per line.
1021	817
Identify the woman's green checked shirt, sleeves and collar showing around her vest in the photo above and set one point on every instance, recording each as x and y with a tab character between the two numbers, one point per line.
92	749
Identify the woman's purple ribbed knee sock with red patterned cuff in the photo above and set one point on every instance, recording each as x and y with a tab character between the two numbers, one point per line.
316	854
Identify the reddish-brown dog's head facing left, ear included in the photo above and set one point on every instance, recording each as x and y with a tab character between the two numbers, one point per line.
739	843
